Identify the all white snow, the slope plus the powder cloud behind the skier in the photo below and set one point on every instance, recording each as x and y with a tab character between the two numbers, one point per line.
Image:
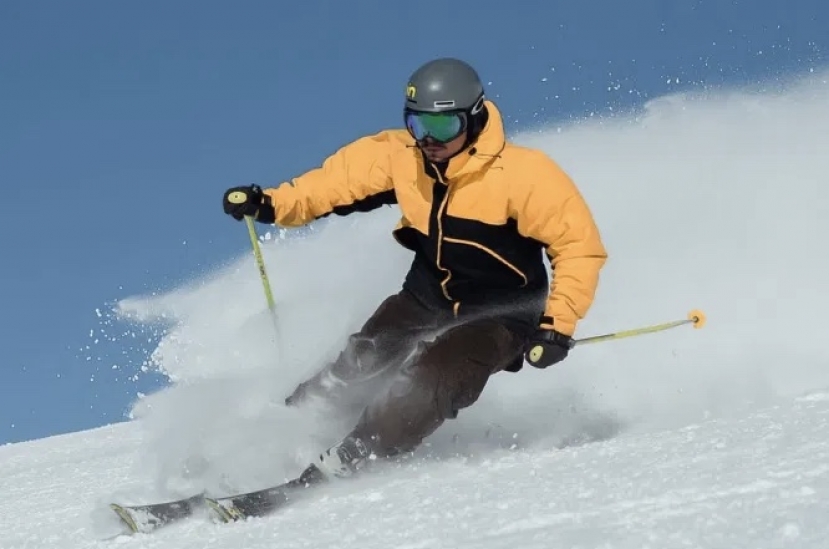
710	438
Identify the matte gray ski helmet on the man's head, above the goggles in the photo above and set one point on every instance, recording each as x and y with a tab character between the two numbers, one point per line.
445	85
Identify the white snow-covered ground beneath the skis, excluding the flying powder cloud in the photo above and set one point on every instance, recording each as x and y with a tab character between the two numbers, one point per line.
757	481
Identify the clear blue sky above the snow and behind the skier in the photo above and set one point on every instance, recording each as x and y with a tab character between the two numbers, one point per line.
121	124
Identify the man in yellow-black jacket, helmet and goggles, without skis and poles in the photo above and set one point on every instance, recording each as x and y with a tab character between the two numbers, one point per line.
478	213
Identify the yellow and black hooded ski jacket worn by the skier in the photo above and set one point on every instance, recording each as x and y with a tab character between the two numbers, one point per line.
479	230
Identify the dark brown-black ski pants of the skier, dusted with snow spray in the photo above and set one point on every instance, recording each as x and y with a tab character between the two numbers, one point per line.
409	368
